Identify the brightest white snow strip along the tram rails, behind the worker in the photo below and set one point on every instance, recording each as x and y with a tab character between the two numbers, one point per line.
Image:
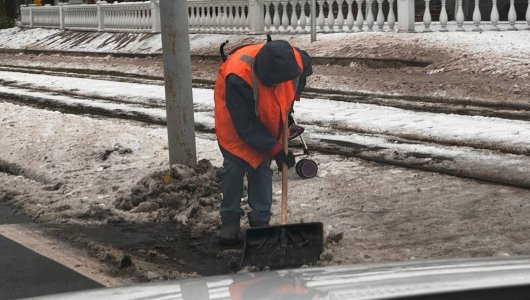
506	134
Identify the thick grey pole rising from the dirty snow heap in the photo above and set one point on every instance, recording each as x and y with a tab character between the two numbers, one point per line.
177	77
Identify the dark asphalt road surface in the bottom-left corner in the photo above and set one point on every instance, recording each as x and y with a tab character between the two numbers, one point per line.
24	273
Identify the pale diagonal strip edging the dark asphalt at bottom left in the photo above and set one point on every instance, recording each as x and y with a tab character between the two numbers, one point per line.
29	236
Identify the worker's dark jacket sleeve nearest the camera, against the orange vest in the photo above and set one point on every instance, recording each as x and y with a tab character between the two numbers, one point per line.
241	106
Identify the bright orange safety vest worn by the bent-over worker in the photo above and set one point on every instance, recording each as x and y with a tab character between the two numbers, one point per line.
272	103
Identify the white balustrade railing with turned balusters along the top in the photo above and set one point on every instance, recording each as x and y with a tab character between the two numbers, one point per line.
286	16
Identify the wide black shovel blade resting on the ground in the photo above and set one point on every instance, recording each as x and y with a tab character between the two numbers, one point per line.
283	246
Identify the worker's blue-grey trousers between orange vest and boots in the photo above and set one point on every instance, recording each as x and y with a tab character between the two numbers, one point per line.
259	191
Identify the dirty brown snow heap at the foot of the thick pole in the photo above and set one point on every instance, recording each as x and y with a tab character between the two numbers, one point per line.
188	196
